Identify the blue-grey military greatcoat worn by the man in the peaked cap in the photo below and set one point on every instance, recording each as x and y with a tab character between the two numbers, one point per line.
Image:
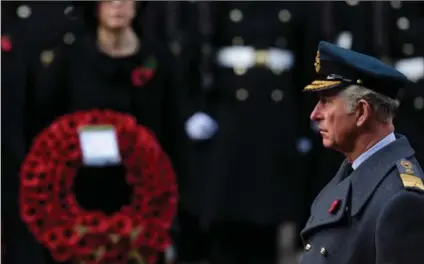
374	216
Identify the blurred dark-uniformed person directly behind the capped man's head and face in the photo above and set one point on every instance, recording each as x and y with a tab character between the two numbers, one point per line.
351	24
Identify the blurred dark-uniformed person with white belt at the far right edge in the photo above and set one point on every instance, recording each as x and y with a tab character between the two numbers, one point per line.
406	39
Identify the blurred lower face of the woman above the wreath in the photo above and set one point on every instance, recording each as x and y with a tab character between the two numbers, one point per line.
116	14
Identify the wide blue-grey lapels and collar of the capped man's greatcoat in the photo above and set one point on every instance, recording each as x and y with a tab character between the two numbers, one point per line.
363	182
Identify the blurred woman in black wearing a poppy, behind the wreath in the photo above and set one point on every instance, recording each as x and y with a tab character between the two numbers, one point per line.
115	64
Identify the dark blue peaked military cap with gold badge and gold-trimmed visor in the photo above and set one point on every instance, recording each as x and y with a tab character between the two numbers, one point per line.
337	67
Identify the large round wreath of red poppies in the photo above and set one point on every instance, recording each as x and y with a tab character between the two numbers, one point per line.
50	206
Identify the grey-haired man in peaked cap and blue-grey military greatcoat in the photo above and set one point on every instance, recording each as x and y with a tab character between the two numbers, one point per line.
371	211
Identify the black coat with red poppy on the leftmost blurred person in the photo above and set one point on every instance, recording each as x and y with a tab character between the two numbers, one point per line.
20	245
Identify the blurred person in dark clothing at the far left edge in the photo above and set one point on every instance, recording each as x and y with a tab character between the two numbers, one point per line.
27	29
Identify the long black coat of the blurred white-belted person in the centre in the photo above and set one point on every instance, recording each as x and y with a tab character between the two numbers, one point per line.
248	171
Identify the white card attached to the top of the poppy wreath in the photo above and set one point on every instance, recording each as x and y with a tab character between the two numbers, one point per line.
99	145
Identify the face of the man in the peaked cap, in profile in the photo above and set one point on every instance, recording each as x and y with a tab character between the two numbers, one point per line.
336	125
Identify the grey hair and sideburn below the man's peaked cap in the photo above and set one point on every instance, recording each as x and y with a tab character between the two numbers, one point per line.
384	107
